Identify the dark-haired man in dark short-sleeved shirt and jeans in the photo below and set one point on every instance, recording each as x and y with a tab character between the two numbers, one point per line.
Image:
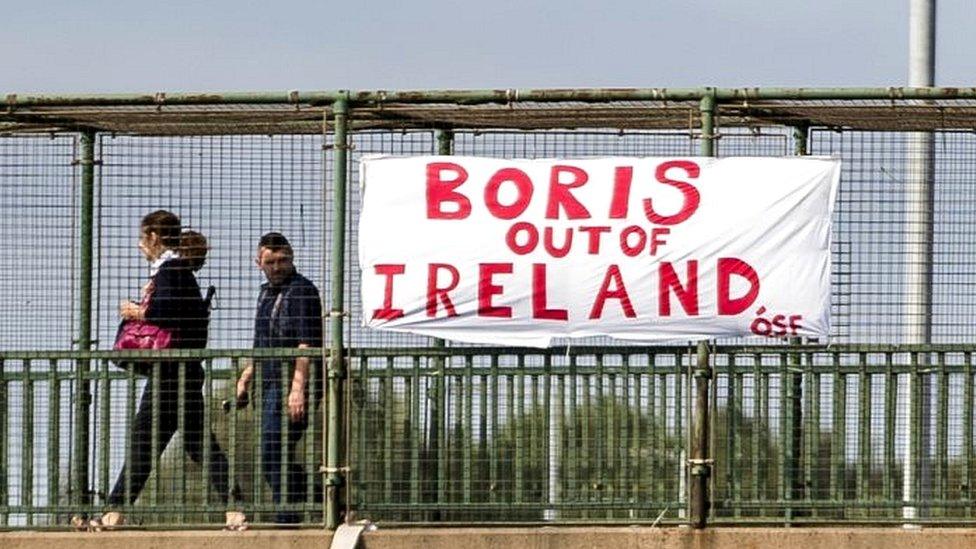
289	315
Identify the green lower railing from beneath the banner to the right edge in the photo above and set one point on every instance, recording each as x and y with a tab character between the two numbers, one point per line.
800	434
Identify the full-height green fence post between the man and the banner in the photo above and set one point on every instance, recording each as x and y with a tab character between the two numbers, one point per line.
337	370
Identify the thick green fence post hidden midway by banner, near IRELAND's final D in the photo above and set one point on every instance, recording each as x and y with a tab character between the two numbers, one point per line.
700	465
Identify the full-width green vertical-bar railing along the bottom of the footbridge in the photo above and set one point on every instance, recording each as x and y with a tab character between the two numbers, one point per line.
799	434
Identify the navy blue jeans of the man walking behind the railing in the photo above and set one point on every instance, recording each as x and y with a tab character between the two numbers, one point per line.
292	488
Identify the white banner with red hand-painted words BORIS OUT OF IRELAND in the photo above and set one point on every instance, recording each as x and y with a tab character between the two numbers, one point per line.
515	252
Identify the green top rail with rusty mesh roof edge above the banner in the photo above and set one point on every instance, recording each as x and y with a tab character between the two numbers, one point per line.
297	112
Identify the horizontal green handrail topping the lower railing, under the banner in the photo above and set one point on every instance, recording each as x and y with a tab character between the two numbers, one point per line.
381	352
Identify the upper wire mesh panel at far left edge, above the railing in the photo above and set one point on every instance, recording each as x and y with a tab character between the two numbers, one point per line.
39	225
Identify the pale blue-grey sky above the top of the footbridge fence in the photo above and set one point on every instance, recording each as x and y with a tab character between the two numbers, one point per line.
99	46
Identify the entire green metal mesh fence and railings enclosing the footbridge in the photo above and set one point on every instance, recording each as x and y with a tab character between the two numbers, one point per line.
876	427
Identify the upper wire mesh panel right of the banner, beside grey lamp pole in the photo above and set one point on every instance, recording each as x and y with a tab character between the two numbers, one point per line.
871	293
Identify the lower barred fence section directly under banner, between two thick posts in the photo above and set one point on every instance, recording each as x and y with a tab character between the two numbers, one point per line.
526	437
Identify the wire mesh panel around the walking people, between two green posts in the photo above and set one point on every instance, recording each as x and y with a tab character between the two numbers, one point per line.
233	189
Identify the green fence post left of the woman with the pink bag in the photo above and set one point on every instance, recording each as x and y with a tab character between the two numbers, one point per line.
79	463
